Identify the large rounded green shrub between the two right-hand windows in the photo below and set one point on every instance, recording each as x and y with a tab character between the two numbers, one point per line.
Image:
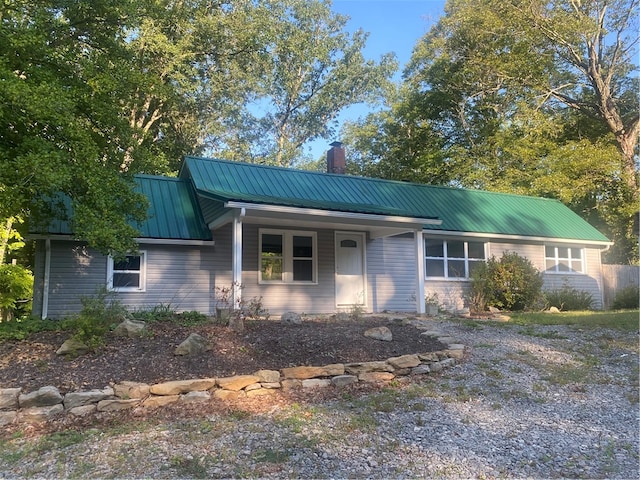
510	283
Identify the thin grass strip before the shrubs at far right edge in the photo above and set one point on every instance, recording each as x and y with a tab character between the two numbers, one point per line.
624	320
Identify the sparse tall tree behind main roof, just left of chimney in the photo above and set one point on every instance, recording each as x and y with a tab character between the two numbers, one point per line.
311	70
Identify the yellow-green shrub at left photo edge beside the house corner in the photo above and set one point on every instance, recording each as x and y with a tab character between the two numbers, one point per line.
16	291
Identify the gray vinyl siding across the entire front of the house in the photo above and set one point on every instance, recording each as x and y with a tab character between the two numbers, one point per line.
184	277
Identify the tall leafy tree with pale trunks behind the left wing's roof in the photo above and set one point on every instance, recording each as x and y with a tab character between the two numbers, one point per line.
197	64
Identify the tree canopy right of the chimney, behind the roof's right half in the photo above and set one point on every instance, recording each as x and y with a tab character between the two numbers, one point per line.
523	96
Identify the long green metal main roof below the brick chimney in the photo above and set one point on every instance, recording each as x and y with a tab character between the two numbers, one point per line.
460	210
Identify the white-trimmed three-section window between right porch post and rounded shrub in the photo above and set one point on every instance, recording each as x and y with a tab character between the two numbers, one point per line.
453	259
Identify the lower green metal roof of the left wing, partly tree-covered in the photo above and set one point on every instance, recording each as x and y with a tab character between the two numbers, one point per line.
174	212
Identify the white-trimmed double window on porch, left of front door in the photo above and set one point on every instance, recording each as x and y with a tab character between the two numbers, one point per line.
288	256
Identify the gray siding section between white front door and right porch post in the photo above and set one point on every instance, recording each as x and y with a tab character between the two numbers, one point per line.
391	273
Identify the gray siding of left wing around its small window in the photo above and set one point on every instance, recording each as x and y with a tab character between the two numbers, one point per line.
179	276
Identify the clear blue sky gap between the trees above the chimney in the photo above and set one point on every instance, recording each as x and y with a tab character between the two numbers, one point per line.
393	26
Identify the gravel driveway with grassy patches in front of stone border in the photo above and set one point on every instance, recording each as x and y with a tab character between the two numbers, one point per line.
534	402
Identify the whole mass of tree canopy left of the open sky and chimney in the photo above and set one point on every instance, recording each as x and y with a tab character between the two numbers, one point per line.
92	93
